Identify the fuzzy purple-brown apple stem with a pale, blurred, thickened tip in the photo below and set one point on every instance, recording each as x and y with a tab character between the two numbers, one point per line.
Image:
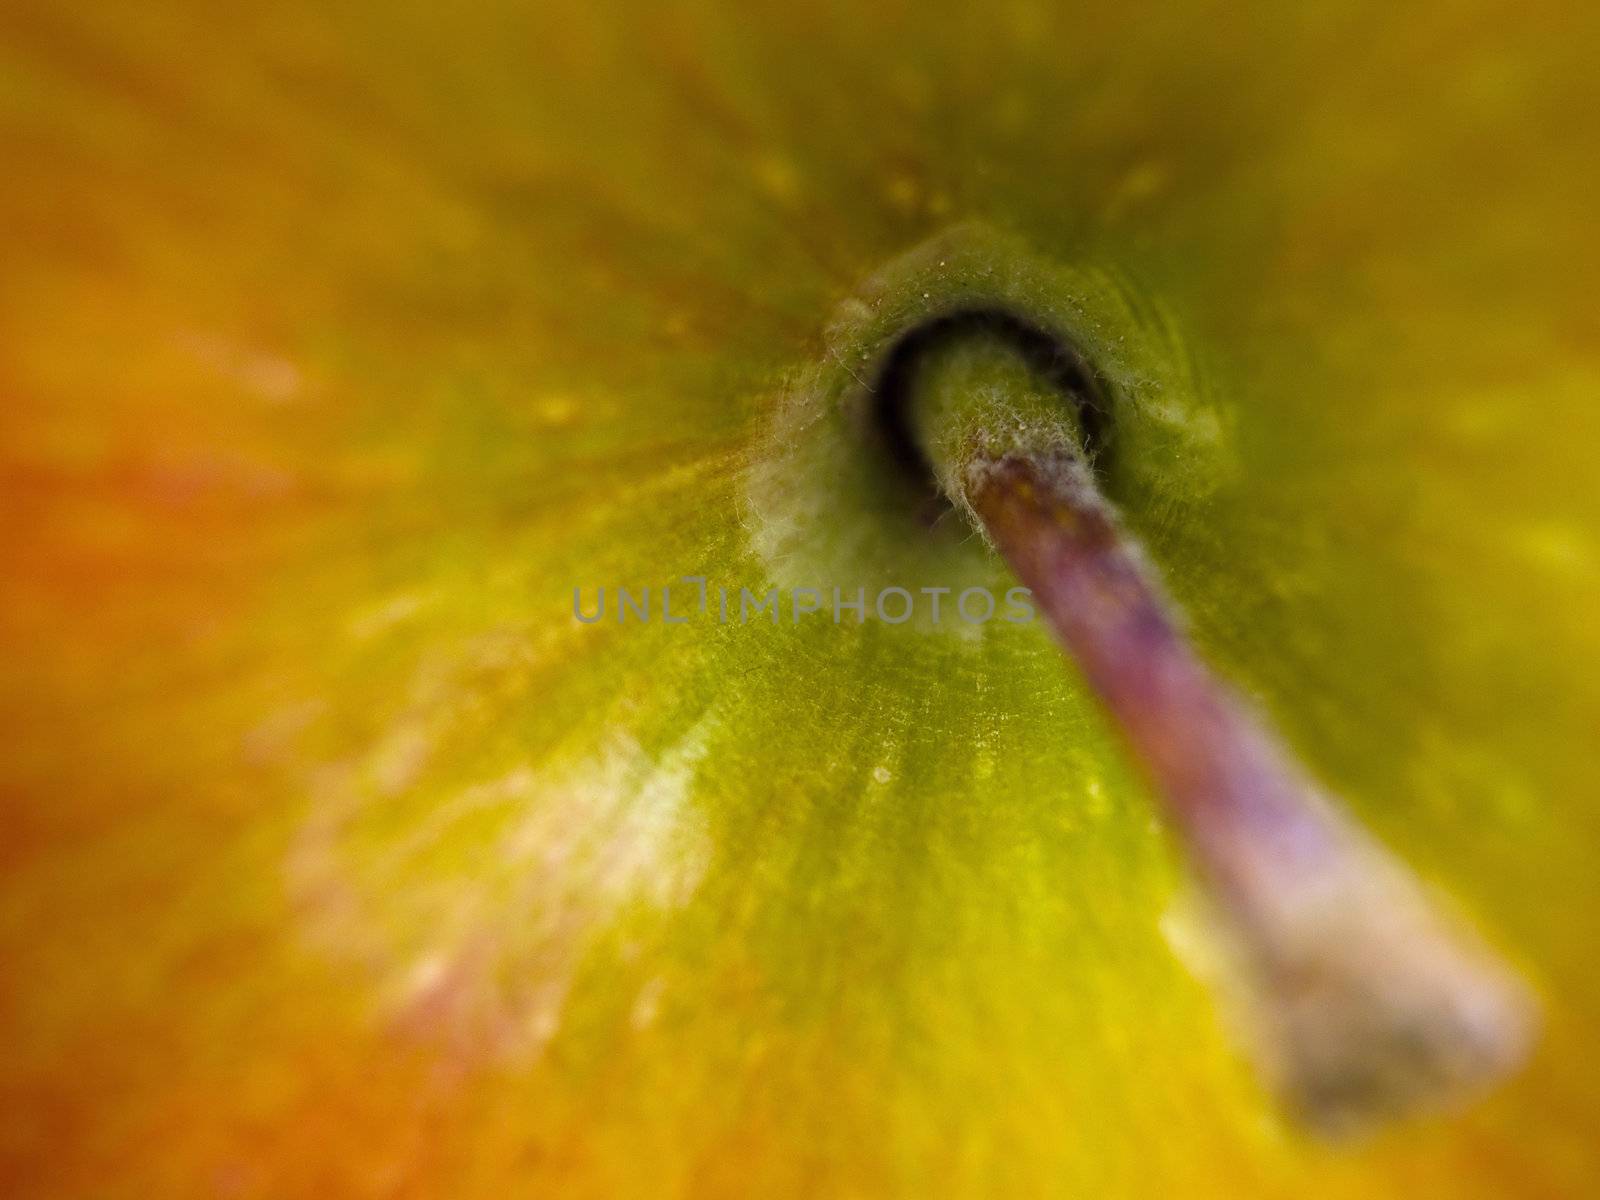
1370	999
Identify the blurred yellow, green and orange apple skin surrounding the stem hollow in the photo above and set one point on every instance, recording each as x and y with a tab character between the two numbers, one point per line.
346	342
